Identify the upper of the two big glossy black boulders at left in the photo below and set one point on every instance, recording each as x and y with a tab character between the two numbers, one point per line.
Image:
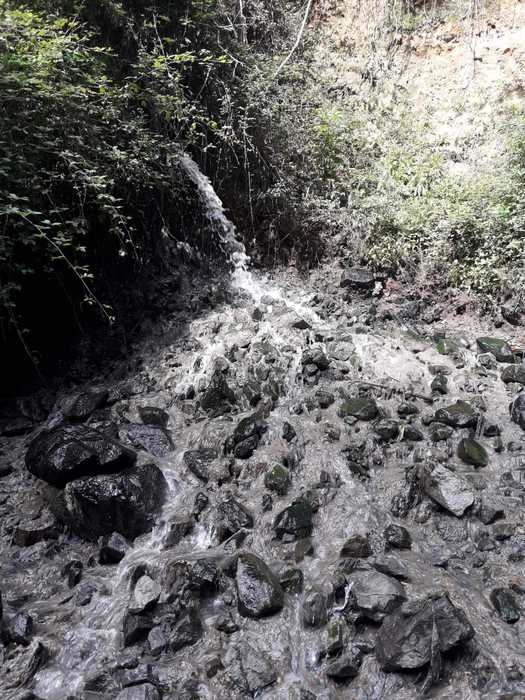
65	453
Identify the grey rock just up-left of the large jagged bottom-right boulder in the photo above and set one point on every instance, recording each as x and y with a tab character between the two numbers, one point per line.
376	594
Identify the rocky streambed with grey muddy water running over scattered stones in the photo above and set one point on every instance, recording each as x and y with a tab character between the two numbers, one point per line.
287	496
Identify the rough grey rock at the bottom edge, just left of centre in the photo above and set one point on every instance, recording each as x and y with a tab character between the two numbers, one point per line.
250	668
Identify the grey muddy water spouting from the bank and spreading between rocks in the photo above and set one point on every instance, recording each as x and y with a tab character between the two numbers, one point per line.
254	335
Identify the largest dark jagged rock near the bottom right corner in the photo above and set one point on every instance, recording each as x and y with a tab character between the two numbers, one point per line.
406	638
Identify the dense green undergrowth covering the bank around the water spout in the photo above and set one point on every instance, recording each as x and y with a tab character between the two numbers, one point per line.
99	98
